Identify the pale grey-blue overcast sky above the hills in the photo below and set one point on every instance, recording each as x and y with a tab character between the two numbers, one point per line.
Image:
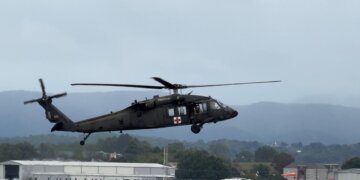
312	45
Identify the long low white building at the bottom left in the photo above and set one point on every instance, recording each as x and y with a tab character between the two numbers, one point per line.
59	170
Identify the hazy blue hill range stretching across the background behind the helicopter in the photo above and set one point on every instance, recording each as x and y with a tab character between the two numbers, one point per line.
265	122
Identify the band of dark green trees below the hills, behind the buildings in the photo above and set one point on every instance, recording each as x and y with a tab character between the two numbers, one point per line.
199	160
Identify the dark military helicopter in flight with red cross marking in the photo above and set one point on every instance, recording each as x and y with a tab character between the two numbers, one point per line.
175	109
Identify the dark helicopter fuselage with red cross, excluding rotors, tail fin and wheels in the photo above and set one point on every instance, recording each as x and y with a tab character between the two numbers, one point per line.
165	111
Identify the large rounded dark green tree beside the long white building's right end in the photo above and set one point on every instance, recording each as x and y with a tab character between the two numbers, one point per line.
199	164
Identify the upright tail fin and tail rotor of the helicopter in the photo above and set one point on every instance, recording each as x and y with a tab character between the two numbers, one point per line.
53	114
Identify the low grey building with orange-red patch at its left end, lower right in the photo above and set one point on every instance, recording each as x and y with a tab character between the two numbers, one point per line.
311	171
